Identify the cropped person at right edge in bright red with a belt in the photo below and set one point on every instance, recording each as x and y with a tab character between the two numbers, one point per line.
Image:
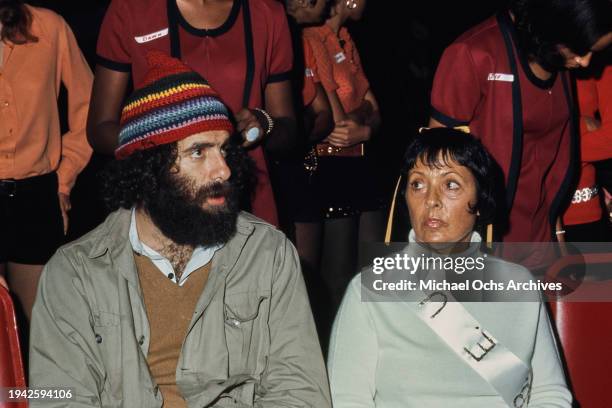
584	220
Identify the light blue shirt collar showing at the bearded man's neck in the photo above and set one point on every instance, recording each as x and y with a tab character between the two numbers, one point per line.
200	257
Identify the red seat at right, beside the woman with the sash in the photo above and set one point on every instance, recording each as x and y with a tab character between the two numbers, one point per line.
585	333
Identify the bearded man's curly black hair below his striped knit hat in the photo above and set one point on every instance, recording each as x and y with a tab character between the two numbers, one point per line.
135	180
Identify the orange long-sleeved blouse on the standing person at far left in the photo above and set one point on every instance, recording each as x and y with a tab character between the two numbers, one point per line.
30	76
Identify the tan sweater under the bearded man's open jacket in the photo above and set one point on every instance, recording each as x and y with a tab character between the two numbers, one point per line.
169	311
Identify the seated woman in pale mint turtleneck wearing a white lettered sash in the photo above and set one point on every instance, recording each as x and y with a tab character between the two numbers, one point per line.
444	347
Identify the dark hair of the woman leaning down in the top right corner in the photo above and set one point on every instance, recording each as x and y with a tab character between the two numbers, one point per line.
543	25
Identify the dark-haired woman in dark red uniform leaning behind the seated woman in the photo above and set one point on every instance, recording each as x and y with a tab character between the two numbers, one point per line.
505	79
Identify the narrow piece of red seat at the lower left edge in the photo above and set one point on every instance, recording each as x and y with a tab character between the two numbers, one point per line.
11	365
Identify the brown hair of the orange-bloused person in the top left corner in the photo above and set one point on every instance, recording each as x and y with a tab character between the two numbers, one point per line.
16	22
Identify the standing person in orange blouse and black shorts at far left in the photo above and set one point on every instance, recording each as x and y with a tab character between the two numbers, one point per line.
38	165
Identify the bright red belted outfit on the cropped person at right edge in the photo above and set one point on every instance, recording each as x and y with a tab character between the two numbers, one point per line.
593	95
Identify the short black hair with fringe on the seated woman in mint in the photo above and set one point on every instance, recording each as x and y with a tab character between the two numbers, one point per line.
439	146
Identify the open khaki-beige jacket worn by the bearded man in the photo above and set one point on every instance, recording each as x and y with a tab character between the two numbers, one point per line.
251	343
